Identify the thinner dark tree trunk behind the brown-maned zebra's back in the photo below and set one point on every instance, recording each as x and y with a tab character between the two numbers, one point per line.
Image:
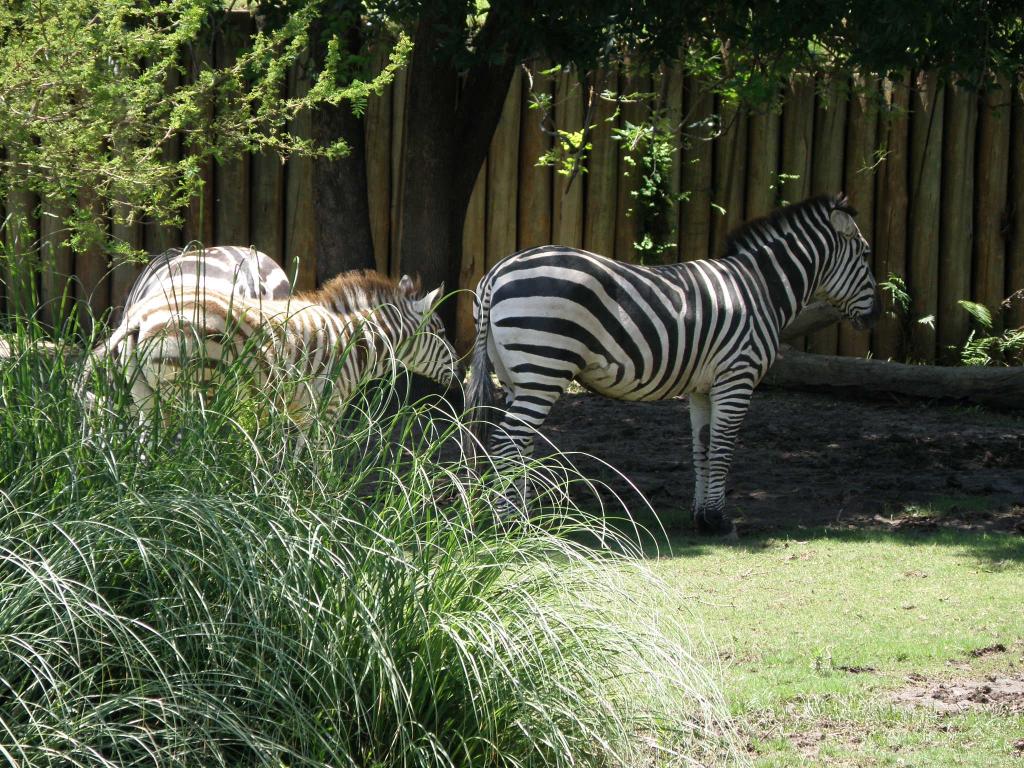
342	212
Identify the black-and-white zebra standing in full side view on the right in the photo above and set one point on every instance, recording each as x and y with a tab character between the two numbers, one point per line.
710	329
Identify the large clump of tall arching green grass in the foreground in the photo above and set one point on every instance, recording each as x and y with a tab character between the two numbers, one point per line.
202	593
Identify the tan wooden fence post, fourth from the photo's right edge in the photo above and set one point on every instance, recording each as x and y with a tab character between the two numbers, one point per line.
927	121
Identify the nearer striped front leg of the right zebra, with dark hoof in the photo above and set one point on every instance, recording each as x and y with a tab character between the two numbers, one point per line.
730	403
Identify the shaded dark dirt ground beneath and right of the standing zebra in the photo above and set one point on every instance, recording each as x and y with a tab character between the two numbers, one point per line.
808	459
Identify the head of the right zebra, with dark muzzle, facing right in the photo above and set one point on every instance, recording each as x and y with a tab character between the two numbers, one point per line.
847	282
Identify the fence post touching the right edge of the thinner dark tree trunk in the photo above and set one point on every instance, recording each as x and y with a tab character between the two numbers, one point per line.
378	137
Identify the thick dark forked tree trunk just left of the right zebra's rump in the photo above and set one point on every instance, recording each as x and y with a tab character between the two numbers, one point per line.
448	135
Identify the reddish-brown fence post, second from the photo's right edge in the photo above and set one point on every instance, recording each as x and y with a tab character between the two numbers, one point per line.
991	199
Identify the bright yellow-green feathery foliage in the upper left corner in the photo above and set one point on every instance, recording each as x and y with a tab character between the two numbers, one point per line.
99	94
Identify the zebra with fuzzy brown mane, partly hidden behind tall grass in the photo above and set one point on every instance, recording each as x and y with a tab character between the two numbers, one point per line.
320	345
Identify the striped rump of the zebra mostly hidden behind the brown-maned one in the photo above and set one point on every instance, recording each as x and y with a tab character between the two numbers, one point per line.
229	270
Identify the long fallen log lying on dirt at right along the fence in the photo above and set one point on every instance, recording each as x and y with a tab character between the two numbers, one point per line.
998	388
